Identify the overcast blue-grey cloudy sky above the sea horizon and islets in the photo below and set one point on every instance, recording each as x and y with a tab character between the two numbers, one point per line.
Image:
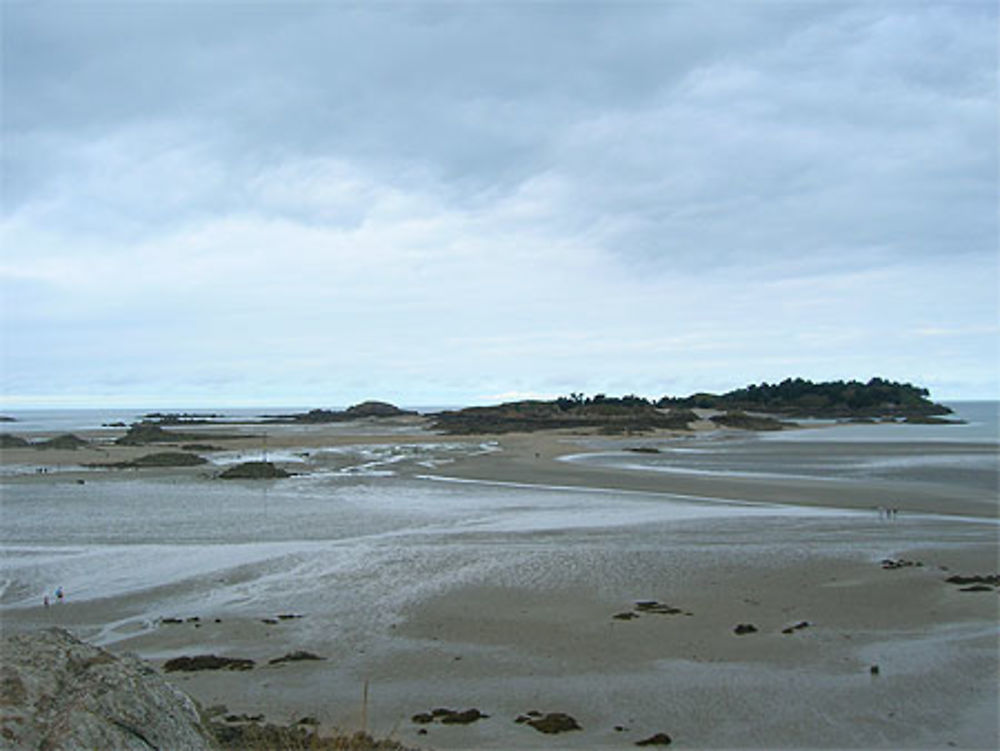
441	203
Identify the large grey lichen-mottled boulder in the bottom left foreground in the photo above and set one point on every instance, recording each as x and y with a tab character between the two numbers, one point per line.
57	692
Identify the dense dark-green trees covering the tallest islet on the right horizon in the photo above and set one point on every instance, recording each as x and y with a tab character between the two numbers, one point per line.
797	397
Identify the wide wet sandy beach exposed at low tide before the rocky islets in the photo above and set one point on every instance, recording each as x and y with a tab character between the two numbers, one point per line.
492	572
